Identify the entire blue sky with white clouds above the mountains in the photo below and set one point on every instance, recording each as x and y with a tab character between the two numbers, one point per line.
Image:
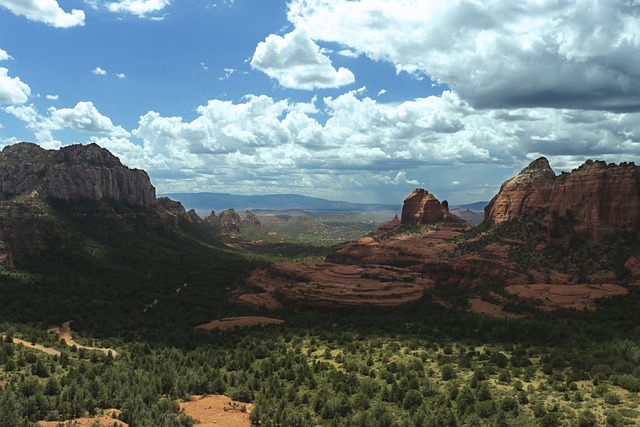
355	100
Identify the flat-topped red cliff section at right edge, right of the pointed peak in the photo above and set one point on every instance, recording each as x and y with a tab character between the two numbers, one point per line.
595	200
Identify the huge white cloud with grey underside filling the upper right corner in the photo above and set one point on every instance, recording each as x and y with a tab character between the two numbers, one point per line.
495	54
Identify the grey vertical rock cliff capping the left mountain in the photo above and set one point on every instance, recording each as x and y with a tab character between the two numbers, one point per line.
76	172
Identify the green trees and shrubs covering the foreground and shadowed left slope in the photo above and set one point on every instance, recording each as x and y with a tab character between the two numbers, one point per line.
140	288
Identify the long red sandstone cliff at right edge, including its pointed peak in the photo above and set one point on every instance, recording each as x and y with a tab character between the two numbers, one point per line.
594	200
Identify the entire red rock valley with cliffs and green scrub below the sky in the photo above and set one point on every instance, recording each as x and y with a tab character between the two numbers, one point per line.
121	308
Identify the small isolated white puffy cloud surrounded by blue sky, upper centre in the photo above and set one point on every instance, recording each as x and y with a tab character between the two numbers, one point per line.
297	62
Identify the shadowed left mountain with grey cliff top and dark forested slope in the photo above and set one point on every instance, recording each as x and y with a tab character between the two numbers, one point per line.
85	237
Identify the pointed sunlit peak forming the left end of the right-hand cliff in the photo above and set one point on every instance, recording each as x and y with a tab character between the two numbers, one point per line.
524	194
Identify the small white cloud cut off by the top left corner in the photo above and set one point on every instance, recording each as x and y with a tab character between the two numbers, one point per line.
45	11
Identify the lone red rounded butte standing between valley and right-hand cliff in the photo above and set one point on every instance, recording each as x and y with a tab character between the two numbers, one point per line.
423	208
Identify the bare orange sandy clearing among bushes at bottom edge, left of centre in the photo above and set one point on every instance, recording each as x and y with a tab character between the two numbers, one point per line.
217	410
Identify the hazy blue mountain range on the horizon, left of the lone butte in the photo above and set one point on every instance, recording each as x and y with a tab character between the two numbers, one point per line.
206	202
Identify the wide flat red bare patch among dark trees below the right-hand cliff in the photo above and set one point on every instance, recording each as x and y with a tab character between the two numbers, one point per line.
566	296
